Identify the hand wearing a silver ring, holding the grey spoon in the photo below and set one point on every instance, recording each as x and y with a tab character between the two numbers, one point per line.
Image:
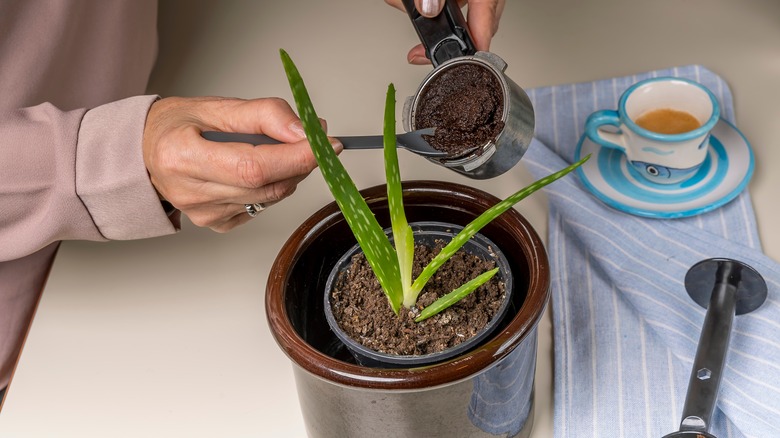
211	182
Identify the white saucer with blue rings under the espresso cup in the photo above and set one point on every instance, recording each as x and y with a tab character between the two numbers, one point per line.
723	175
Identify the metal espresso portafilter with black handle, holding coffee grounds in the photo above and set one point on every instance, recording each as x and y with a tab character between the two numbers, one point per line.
448	44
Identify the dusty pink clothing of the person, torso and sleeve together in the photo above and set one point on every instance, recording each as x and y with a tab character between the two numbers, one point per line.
69	173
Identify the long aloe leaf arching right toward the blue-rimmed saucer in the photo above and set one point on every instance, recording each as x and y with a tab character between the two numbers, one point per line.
477	224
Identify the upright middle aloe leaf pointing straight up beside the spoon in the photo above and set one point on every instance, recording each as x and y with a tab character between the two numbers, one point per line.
402	232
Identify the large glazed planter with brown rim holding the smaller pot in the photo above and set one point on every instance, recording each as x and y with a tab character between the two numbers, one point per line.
486	392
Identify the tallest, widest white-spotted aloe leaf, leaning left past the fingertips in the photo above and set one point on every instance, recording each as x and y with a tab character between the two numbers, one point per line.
369	234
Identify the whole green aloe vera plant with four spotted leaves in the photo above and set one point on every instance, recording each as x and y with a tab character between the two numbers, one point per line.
393	265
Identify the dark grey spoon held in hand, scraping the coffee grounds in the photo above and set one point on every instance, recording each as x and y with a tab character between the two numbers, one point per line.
411	141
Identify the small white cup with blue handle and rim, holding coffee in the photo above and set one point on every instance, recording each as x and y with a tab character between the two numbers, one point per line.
663	127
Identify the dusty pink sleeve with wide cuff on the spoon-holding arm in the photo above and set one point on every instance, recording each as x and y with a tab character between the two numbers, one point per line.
76	175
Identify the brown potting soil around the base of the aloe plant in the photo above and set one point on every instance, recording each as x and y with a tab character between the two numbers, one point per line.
362	310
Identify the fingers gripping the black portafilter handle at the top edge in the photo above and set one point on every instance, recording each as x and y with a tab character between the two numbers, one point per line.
482	19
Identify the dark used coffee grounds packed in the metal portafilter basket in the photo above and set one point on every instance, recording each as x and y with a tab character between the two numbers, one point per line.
464	104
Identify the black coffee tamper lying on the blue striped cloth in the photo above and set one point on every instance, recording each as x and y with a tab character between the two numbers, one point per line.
724	287
